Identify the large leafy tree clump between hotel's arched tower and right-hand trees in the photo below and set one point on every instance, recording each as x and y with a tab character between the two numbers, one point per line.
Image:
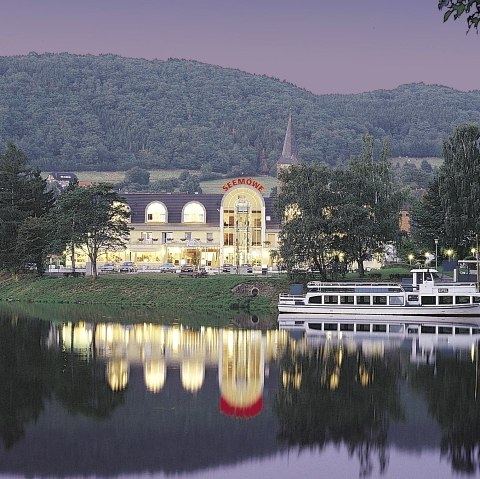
326	212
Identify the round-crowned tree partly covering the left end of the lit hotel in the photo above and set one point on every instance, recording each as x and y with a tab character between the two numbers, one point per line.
94	218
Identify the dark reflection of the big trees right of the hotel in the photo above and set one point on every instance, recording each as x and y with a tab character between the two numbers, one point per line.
331	394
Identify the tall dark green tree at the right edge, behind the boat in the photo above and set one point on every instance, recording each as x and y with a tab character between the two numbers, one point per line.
459	187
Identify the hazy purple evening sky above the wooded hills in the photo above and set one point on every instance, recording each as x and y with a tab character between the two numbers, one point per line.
324	46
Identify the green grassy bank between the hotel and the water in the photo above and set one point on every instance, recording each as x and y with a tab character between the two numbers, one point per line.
162	292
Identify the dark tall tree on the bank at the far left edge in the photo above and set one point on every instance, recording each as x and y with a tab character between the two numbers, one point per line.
24	199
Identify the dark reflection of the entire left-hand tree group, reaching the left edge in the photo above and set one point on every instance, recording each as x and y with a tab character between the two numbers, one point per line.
30	372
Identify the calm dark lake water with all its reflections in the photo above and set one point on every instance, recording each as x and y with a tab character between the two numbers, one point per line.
145	400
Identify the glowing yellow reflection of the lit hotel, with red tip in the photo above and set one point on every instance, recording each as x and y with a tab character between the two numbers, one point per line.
241	356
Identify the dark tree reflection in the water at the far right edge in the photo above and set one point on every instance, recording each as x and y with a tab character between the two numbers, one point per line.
451	390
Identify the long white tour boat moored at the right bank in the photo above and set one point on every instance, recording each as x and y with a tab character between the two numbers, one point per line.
424	296
